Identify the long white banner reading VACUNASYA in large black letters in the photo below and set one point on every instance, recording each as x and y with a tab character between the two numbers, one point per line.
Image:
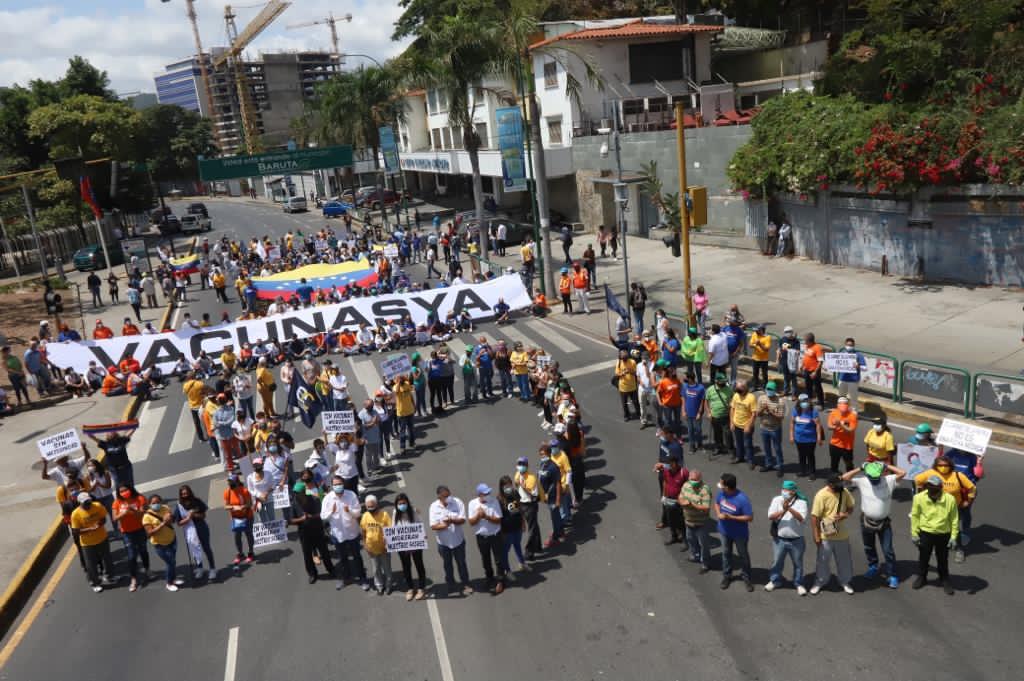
165	350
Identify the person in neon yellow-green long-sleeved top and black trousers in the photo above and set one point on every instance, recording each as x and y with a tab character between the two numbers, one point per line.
934	528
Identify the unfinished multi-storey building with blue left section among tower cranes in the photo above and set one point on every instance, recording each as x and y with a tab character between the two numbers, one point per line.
277	84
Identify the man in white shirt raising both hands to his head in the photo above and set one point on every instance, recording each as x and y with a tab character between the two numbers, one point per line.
876	501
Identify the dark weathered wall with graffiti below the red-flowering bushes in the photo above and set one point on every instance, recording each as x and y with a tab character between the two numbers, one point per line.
970	239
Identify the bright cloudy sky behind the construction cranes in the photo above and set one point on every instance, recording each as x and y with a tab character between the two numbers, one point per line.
134	39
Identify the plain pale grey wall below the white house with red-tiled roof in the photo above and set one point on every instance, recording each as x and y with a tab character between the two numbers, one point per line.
709	153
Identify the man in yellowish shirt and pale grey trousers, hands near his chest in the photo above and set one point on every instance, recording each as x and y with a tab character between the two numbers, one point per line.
833	505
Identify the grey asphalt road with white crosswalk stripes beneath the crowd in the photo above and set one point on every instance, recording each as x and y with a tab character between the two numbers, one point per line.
614	604
